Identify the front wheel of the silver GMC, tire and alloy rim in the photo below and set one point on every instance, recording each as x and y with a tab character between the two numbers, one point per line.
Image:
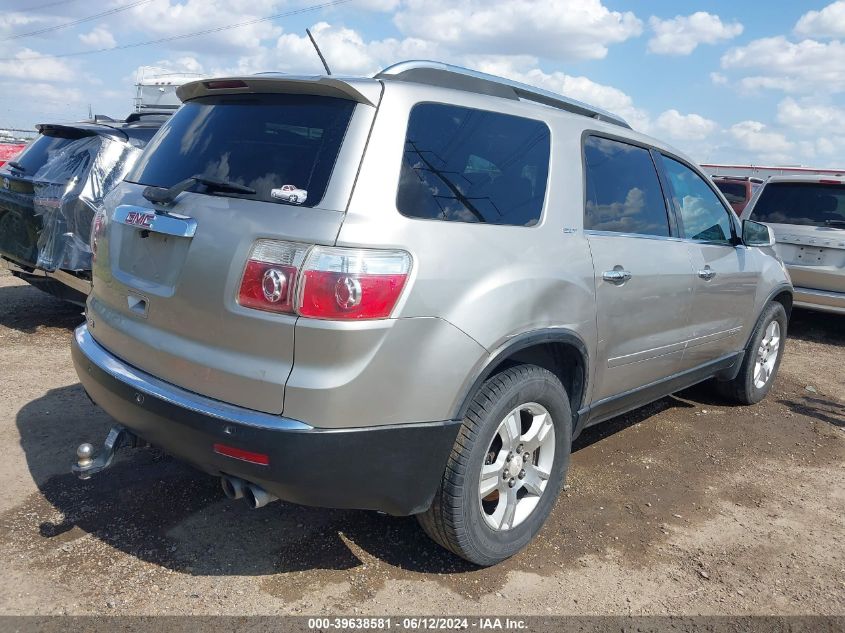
749	386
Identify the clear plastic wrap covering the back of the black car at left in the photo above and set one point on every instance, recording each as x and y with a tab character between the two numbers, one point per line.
69	189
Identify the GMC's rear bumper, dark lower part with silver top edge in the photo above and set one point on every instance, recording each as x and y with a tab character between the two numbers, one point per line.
395	468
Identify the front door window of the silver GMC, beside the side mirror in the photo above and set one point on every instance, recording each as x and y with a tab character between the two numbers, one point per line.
702	213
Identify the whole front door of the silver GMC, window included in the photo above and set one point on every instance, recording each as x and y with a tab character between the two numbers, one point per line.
725	276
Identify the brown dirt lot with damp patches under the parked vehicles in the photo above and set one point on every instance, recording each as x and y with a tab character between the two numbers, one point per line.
685	506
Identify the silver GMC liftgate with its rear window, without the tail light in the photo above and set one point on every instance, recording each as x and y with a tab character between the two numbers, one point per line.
167	278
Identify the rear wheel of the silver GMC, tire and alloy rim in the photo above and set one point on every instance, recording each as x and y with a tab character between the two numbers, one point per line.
458	518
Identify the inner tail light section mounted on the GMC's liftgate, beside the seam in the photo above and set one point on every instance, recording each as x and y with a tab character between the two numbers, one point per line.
269	279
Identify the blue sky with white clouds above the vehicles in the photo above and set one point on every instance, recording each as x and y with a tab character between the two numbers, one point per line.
724	81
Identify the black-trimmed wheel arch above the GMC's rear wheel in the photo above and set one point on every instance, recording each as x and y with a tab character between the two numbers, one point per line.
562	352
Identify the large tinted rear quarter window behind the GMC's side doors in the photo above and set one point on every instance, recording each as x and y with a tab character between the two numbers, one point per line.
469	165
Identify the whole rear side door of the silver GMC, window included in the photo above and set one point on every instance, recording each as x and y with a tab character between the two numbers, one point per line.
643	276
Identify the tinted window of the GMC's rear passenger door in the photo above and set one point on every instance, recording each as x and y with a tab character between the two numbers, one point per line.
623	191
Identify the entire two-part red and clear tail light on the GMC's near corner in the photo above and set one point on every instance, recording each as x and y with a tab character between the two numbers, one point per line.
328	283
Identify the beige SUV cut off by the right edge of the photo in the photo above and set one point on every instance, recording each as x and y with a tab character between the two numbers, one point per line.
807	214
